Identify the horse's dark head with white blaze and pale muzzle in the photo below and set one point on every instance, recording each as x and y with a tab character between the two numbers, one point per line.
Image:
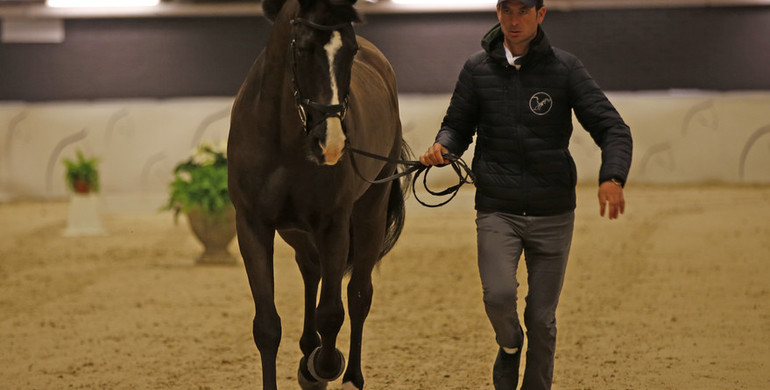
322	50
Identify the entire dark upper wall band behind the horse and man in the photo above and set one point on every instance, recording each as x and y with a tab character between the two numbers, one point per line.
713	48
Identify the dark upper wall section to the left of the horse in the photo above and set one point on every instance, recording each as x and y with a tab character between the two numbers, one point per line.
127	58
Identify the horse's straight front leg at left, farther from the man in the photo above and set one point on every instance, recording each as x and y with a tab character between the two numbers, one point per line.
256	244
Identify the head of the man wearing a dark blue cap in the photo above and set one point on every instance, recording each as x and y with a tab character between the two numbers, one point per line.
519	23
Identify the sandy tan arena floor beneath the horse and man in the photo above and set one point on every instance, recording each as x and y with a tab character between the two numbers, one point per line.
675	295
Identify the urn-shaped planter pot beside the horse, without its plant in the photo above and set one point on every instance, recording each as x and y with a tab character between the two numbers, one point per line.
215	232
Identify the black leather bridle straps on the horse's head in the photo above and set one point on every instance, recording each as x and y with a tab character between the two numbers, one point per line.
304	104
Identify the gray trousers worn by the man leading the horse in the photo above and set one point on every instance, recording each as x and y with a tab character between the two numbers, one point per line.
545	243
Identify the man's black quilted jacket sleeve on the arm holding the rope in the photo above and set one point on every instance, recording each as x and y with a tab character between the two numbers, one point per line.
461	119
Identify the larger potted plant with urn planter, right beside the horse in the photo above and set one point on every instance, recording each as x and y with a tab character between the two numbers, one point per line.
199	190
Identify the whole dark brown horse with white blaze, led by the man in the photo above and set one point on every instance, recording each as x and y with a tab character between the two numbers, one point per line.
315	89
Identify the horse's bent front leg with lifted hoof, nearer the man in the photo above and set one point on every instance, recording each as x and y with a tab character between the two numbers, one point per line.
327	362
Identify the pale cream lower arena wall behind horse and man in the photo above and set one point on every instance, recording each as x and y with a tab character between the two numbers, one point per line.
680	137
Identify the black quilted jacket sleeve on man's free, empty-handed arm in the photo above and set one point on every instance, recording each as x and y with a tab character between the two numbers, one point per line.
600	118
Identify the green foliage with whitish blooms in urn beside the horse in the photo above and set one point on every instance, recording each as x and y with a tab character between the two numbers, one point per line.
201	182
